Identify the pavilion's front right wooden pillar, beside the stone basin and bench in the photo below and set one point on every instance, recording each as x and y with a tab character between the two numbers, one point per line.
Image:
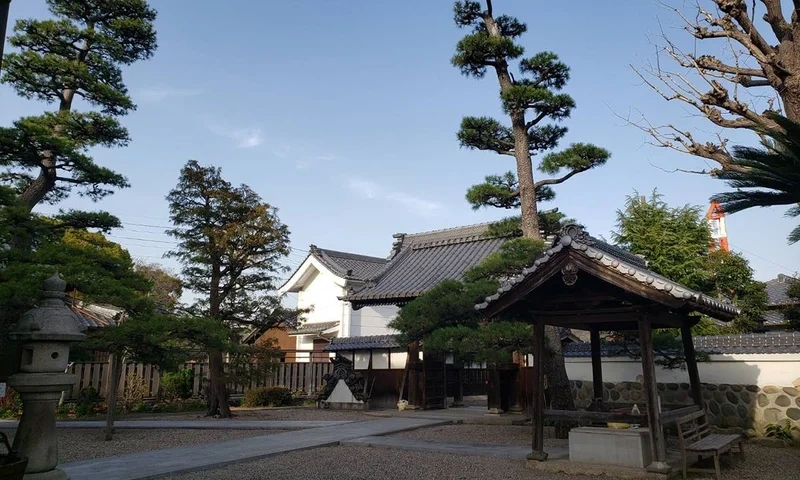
658	446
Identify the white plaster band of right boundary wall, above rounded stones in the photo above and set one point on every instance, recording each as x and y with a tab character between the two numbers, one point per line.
750	369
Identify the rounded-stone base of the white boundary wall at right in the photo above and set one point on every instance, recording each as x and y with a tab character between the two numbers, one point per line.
742	406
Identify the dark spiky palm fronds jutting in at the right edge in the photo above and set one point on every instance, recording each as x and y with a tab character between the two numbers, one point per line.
768	176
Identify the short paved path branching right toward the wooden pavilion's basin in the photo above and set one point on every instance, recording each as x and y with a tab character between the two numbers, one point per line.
503	451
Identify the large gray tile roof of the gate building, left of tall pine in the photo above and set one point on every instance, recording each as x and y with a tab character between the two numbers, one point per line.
422	260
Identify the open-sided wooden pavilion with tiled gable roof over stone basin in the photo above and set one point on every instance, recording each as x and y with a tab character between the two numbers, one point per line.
585	283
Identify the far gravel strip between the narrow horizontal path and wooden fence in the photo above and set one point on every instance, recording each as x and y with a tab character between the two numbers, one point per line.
303	413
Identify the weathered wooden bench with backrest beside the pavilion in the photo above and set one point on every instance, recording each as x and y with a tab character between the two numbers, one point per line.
694	434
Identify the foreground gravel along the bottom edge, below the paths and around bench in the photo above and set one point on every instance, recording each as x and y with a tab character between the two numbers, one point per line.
367	463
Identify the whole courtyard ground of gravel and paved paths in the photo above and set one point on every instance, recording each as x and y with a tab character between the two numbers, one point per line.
277	443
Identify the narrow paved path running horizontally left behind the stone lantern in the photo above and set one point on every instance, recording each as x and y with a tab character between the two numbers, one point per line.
219	424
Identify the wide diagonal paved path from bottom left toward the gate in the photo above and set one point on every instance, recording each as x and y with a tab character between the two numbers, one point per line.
159	463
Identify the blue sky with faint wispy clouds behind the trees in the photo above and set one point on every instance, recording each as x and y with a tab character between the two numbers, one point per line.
343	115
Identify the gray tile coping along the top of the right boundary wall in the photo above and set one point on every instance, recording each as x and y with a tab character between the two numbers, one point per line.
721	344
